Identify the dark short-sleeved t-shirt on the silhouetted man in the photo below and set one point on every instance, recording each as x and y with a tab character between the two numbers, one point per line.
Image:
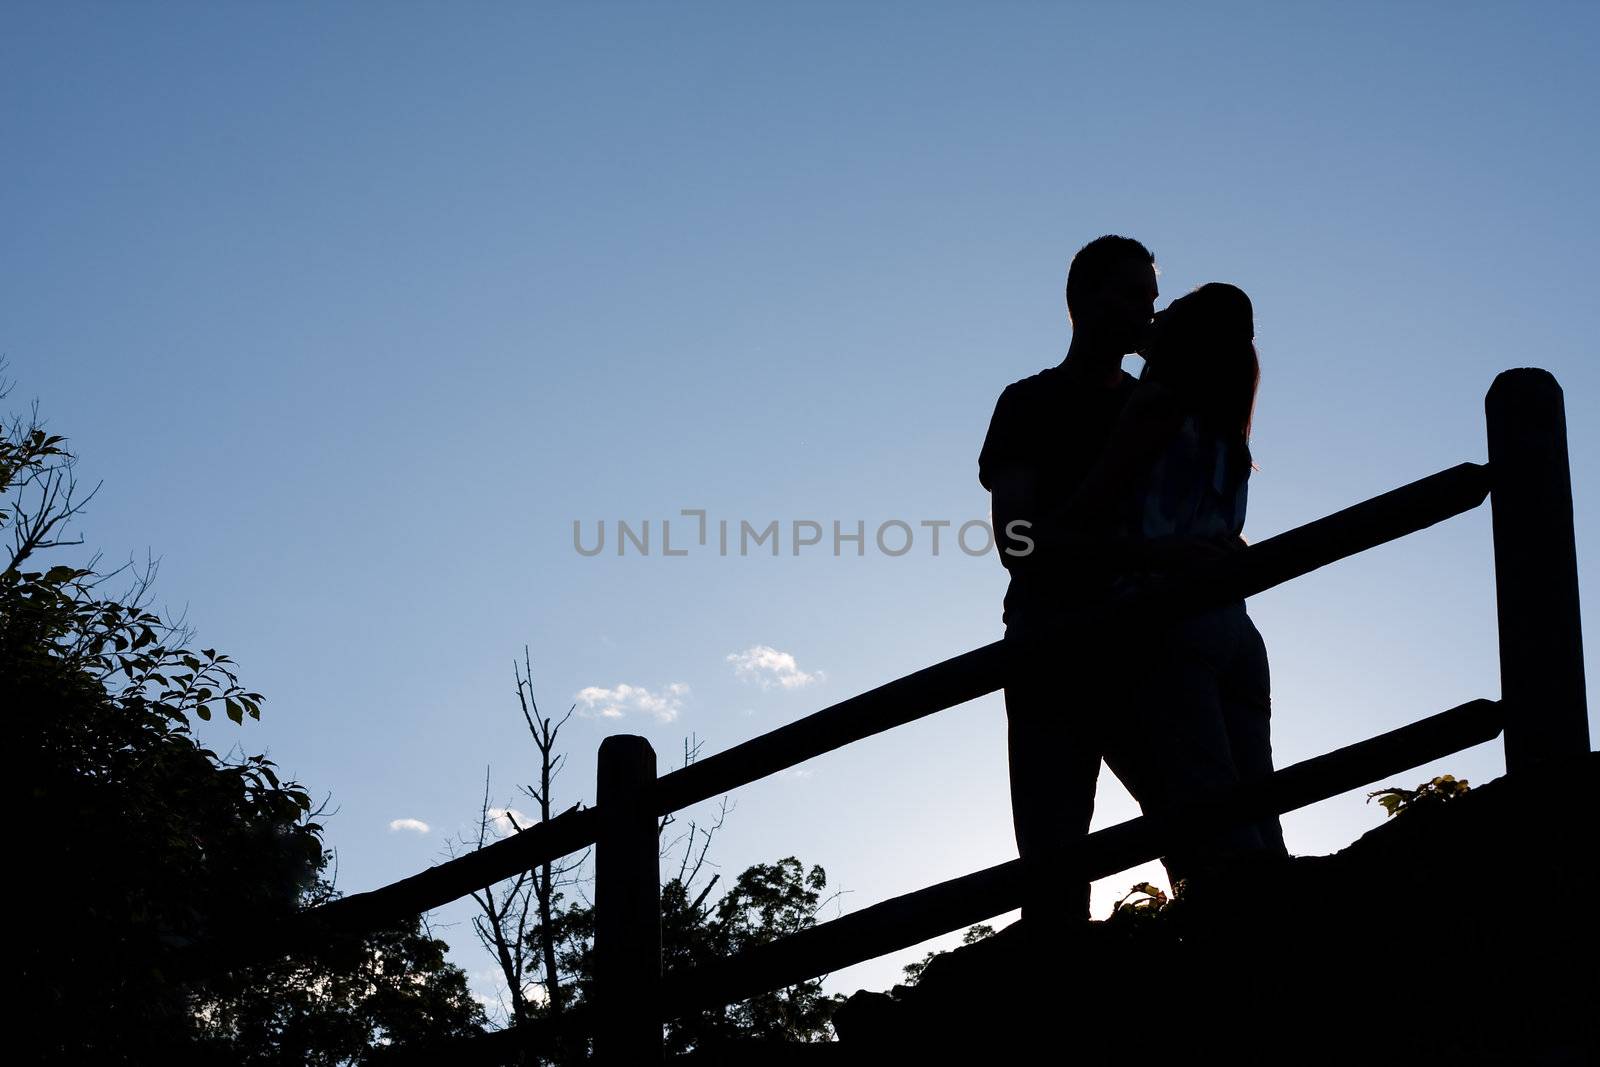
1055	425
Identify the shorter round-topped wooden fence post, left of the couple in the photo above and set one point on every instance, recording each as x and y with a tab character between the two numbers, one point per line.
628	906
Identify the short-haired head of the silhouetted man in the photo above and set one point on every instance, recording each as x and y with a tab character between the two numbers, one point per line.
1111	292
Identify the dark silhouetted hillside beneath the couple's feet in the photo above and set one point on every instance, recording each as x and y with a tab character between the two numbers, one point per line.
1455	935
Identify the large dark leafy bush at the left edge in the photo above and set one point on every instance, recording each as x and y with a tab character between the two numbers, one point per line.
140	841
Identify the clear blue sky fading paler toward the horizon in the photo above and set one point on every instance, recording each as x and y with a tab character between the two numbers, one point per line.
356	310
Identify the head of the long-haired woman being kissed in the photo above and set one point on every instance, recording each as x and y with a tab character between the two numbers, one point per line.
1206	350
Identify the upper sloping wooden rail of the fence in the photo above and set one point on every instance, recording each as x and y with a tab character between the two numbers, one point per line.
945	685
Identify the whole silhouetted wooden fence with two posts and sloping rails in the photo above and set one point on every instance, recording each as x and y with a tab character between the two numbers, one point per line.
1542	711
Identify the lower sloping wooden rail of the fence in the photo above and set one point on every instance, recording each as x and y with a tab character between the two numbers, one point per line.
916	917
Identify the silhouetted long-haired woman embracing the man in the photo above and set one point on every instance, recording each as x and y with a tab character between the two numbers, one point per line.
1170	495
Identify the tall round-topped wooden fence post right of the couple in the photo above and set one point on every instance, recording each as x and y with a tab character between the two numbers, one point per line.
1535	572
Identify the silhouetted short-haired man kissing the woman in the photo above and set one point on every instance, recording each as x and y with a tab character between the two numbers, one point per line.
1046	436
